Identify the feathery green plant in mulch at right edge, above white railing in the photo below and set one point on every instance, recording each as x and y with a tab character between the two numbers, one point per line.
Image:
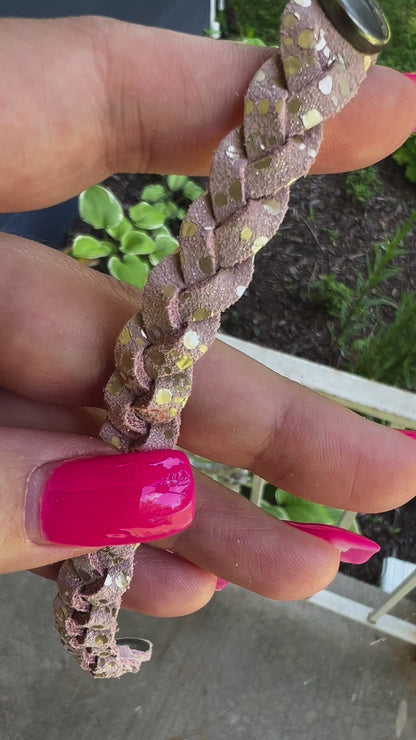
353	310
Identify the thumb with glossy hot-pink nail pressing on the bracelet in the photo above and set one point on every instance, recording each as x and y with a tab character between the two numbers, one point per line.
62	495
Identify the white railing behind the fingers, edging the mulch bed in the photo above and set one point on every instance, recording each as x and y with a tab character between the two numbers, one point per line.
391	405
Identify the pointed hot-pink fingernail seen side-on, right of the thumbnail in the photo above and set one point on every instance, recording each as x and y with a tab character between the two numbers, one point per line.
354	548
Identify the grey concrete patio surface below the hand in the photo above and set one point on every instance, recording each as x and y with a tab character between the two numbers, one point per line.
244	668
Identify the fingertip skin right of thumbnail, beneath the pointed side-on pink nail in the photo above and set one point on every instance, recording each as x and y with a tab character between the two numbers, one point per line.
242	544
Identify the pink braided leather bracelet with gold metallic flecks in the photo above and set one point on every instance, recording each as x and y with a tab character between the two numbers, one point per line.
326	48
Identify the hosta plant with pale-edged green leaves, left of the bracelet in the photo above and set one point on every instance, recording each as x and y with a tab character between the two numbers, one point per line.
129	246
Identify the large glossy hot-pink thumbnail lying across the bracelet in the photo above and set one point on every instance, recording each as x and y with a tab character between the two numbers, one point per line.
110	499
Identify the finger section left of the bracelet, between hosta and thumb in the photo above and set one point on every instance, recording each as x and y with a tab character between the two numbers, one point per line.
55	343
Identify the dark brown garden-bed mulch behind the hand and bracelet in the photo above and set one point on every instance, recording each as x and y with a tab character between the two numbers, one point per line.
325	231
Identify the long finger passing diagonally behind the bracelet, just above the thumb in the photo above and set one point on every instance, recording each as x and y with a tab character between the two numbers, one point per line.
239	412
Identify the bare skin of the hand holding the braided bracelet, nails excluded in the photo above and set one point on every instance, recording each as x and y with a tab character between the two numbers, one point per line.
81	99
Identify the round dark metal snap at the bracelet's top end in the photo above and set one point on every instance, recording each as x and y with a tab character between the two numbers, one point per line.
361	22
